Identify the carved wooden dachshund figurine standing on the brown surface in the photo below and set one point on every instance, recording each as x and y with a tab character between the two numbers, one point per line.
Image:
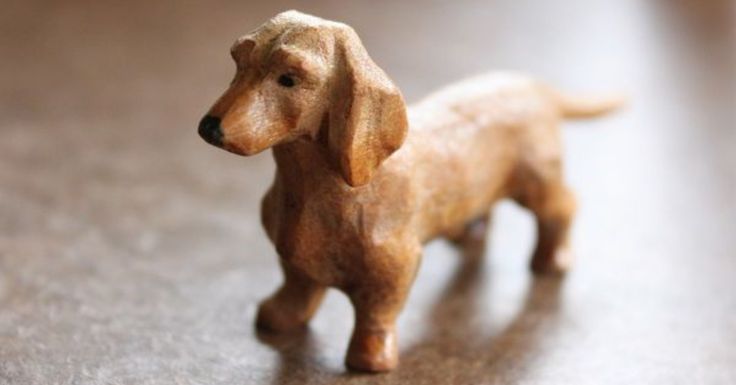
362	182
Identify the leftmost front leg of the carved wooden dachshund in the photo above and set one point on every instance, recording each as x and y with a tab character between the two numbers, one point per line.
292	305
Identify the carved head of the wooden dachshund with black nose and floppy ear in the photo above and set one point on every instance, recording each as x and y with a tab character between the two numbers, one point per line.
299	76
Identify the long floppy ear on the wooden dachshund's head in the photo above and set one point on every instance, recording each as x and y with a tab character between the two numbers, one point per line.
367	115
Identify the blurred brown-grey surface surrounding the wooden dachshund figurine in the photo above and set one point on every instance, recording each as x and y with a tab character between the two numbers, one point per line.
131	252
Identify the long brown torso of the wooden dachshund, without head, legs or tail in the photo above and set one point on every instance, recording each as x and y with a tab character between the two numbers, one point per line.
447	173
